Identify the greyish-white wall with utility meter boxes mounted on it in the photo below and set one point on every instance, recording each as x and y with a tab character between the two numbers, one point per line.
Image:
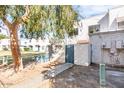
108	47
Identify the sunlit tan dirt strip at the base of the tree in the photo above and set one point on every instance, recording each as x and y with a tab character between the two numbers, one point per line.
9	78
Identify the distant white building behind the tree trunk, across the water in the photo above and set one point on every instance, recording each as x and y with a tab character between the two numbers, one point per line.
27	43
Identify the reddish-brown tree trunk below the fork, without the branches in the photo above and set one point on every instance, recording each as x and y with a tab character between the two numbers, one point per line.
14	44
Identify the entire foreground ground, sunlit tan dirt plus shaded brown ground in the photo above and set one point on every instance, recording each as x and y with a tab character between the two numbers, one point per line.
74	77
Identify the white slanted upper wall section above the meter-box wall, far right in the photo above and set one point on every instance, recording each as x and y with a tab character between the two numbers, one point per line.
109	21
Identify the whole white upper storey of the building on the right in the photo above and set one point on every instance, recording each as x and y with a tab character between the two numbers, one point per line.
107	22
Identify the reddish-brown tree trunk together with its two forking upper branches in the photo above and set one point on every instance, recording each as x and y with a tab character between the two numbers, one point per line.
14	43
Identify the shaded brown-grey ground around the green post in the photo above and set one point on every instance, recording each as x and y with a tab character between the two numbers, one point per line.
86	77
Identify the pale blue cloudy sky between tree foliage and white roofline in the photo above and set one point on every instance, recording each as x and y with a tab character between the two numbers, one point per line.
91	10
